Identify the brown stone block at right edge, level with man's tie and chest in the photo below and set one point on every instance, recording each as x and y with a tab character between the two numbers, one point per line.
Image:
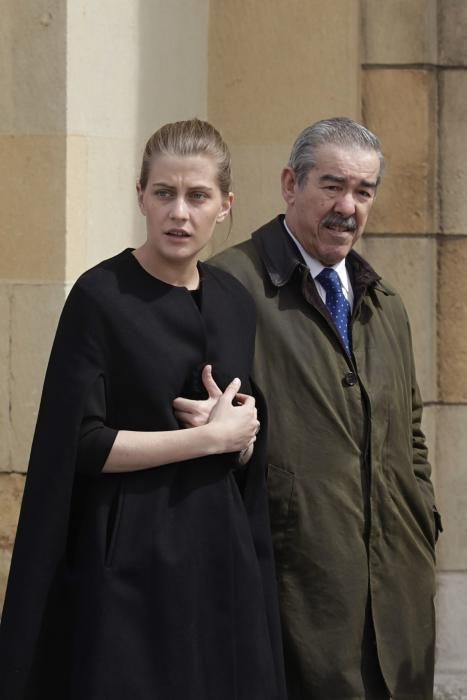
452	320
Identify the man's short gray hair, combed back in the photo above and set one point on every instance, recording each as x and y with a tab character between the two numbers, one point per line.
340	131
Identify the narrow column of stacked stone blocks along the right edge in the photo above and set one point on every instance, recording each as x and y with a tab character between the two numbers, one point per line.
452	342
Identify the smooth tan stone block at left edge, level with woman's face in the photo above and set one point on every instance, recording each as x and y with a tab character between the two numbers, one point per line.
32	203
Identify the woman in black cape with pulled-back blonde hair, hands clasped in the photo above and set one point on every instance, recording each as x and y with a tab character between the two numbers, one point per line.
142	566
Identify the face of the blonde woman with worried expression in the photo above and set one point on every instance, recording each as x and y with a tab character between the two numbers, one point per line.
182	203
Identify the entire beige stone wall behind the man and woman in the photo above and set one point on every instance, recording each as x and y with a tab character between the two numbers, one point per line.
83	84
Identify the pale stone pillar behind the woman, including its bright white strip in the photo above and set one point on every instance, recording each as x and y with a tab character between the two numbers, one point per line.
83	85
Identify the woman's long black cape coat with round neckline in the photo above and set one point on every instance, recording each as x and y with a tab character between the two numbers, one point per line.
153	584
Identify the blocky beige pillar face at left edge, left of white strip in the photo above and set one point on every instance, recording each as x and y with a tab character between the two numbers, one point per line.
33	222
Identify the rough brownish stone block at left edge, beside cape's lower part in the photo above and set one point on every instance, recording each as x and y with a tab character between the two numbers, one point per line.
11	492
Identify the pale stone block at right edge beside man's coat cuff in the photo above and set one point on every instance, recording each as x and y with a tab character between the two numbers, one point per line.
451	451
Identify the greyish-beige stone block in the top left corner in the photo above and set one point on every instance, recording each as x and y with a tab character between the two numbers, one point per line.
32	66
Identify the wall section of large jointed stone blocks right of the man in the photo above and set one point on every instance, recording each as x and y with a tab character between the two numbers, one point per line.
414	97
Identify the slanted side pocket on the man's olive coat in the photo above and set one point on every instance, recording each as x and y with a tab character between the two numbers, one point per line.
281	491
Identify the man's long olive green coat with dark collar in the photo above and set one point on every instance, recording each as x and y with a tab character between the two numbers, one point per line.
351	501
